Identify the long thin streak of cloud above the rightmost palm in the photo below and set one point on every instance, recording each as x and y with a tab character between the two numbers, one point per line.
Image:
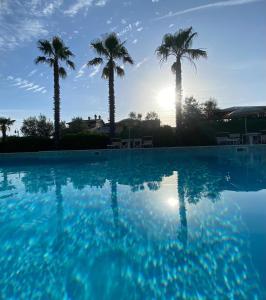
208	6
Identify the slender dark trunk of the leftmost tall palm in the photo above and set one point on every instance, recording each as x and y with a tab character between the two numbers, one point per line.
56	105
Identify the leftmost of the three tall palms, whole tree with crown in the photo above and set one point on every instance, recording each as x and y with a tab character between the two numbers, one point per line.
55	52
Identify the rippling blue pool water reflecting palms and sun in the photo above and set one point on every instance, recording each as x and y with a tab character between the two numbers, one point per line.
144	224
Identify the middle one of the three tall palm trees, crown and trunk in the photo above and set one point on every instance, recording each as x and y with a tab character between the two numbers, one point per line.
110	50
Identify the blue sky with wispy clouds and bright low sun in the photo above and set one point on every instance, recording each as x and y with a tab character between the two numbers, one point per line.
233	32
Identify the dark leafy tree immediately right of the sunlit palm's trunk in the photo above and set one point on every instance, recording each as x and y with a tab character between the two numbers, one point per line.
192	112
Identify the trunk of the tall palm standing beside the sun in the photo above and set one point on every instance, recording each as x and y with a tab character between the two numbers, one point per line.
178	95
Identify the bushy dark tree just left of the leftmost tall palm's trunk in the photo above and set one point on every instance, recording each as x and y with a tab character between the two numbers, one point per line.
40	126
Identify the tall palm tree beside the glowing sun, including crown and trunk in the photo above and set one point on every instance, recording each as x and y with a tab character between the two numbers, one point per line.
179	45
